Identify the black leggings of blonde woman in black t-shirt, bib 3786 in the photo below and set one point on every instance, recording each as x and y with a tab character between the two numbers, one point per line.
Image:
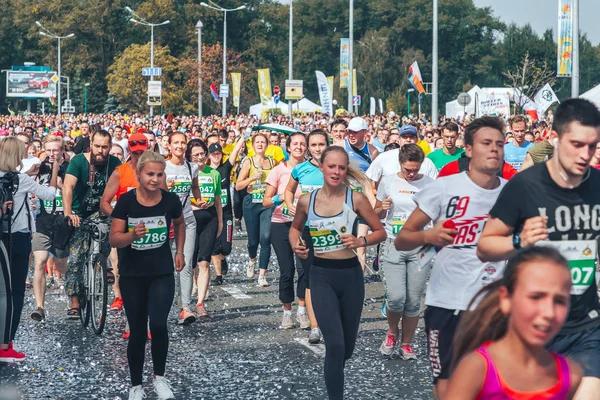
145	297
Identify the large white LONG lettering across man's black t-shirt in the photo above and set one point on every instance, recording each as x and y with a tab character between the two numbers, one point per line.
573	218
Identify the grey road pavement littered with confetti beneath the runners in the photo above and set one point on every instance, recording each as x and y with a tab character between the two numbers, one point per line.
238	353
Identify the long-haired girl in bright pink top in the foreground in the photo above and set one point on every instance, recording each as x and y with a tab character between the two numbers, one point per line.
499	349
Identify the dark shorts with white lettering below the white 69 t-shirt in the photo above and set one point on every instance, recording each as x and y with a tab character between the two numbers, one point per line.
440	326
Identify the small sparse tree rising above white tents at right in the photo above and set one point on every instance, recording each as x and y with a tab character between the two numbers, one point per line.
527	79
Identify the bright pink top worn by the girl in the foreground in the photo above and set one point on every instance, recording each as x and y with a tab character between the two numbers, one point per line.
494	387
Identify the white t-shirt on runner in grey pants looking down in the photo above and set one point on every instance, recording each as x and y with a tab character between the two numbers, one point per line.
402	193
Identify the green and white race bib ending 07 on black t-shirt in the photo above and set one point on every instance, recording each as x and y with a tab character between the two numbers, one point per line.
581	255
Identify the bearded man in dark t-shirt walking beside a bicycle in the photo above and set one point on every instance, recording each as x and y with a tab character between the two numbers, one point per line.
83	187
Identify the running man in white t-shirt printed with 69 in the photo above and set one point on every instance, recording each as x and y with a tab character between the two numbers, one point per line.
457	275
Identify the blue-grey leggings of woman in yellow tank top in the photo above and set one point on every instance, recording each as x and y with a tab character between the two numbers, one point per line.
258	226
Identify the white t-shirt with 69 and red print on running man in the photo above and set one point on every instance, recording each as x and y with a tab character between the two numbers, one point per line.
457	273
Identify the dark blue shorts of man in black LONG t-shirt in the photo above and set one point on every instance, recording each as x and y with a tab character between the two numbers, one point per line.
582	347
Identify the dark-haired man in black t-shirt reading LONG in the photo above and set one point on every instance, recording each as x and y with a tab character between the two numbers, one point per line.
557	203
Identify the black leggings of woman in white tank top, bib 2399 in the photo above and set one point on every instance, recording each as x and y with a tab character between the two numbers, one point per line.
337	291
